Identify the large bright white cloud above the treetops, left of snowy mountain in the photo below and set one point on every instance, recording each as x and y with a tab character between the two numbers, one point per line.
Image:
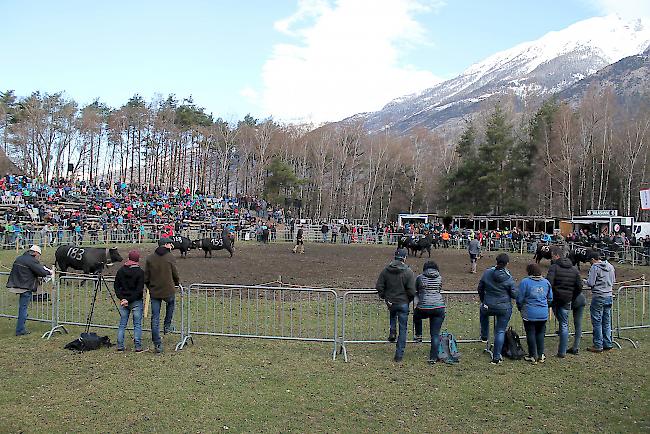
346	58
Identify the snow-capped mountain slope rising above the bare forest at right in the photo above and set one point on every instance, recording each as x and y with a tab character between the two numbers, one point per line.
529	71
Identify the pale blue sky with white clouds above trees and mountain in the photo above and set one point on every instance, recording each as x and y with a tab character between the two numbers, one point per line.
308	60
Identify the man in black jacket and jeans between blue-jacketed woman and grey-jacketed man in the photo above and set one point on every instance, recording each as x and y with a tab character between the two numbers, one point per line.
566	283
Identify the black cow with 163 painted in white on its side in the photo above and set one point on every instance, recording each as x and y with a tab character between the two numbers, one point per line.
88	259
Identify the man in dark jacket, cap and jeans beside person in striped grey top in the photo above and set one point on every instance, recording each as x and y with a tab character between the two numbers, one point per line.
396	286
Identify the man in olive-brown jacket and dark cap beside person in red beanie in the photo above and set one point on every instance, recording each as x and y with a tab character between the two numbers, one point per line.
161	277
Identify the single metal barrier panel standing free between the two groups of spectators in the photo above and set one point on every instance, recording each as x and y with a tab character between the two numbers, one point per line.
267	312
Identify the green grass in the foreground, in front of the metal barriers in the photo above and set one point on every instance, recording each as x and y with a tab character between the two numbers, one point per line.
251	386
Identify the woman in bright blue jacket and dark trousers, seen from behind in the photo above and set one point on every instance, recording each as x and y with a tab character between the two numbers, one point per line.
533	299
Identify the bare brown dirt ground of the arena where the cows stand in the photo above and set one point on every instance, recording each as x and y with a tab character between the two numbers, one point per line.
342	266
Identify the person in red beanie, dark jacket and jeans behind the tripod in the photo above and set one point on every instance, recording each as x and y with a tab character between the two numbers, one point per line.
129	288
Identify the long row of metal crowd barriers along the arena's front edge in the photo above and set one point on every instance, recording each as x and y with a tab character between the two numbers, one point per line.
340	318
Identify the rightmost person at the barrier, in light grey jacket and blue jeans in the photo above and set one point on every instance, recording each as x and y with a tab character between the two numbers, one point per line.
601	281
